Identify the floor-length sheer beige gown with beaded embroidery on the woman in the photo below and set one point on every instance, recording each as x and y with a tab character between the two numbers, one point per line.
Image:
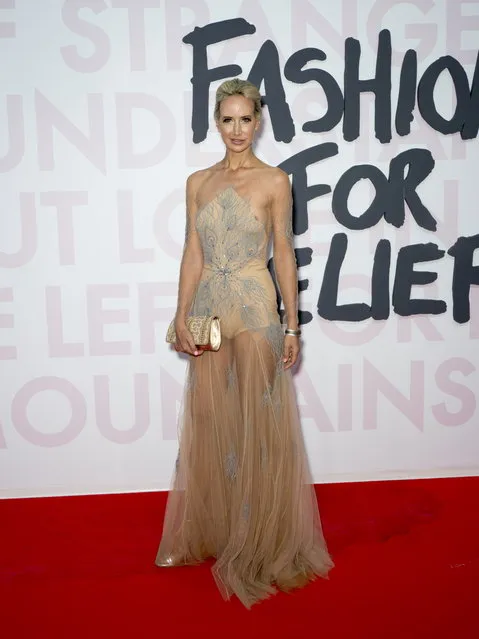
242	492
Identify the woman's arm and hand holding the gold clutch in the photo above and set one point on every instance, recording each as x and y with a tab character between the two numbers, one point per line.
190	270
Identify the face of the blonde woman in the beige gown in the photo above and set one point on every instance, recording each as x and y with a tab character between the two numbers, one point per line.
237	123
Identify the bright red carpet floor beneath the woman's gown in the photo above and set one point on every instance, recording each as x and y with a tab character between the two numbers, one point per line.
406	554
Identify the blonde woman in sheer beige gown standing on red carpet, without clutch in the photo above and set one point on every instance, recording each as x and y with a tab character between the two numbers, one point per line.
241	492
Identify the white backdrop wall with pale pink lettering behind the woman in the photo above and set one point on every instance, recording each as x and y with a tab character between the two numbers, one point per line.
95	146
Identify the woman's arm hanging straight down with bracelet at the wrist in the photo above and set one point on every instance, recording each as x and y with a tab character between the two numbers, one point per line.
285	261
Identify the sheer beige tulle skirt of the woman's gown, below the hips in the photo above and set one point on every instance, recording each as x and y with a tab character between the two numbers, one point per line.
242	491
